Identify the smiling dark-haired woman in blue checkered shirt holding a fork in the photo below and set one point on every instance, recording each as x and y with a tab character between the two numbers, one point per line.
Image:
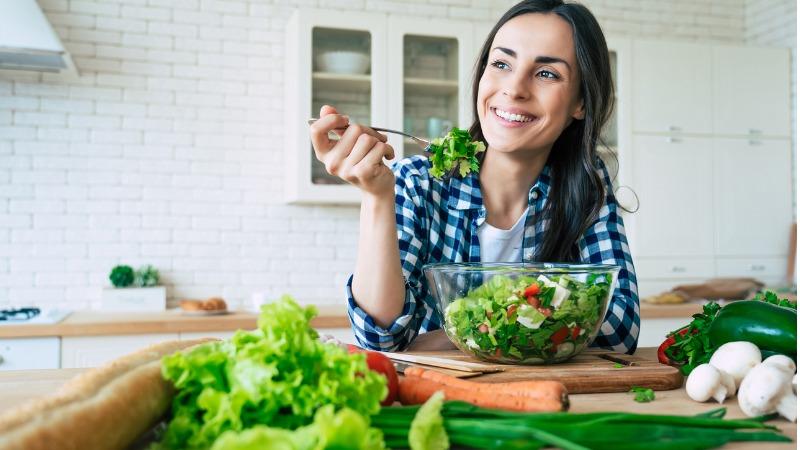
542	92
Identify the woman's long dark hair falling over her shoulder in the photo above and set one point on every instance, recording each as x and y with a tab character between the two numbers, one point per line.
576	191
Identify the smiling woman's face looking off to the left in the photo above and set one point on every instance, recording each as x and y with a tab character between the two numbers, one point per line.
530	90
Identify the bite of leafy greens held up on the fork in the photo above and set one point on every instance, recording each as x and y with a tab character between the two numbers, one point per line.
454	152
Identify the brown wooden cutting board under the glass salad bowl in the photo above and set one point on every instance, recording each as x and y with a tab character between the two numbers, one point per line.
592	371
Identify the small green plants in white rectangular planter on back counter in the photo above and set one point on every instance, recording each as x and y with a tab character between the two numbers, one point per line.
134	290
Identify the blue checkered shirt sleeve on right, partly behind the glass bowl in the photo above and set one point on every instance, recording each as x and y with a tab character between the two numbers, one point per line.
605	242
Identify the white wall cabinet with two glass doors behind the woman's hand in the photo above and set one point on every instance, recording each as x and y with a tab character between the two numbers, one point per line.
417	81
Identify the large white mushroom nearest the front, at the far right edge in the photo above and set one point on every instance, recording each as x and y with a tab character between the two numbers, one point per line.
767	389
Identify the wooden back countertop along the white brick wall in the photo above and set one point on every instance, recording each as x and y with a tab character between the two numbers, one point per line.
98	323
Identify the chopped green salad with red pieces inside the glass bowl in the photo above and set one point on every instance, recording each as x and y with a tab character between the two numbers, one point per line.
525	319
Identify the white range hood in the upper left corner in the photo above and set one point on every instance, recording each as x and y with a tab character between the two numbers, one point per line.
28	42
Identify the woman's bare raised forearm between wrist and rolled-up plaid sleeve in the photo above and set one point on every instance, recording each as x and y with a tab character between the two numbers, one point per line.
378	285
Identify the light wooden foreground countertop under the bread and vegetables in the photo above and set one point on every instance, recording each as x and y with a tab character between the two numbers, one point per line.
18	386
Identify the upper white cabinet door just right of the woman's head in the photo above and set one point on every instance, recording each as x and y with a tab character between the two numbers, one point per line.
672	87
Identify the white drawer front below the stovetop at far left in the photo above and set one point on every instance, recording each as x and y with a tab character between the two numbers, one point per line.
30	353
